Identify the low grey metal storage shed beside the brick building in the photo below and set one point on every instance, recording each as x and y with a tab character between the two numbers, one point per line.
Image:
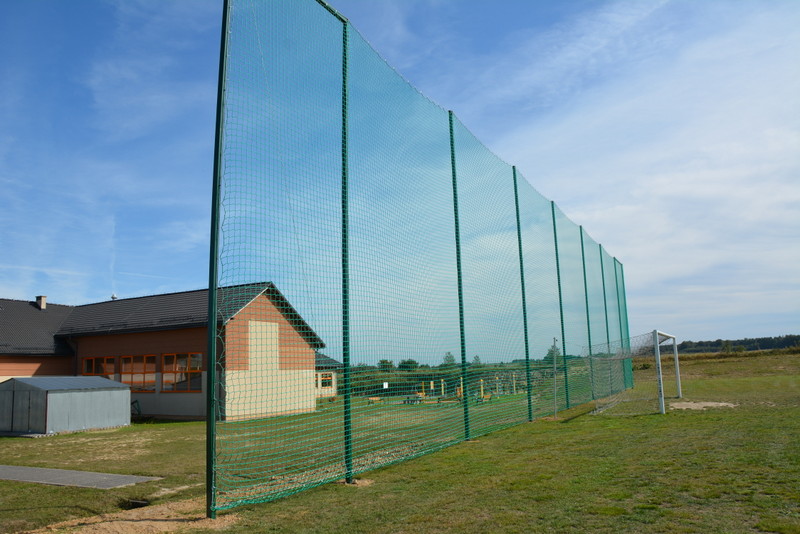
52	404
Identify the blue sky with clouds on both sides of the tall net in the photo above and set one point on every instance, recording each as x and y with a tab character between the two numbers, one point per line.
669	129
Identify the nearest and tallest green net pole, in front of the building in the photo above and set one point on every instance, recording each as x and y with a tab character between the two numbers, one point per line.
211	357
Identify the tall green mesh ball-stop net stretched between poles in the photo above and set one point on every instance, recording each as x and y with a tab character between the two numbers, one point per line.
382	285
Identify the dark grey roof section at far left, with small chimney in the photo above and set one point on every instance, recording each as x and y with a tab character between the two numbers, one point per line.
25	329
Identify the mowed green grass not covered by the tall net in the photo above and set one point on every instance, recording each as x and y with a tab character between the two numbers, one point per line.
716	470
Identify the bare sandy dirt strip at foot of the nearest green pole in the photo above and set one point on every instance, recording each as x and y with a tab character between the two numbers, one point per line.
181	516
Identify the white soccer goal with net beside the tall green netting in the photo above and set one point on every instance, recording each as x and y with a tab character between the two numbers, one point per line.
628	377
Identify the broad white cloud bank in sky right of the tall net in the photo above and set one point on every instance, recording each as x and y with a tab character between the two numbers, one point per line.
686	169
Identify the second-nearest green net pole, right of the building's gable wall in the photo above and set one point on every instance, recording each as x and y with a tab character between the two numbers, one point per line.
348	430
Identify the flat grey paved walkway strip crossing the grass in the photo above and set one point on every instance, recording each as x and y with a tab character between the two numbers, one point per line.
63	477
